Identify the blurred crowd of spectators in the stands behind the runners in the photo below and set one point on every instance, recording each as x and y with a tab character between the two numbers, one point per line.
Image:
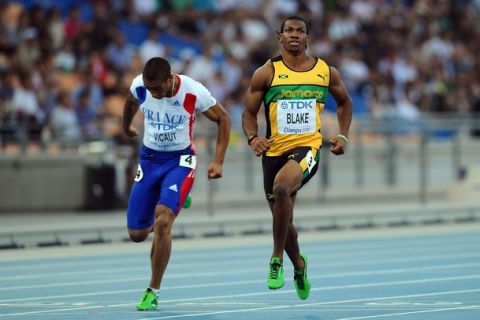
65	66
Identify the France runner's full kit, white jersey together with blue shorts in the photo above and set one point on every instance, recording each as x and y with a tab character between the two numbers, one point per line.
166	170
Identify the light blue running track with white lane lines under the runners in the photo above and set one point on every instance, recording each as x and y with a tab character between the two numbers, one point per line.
418	277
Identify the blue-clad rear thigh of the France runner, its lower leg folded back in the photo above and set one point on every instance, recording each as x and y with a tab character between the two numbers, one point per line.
144	195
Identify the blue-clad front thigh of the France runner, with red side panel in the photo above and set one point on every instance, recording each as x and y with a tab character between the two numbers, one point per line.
176	186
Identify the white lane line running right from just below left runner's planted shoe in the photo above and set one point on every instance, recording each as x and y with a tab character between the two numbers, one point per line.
319	303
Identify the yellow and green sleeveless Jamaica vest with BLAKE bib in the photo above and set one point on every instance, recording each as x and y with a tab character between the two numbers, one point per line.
293	104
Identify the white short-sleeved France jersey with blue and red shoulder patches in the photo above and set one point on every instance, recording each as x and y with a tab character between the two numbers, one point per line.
169	121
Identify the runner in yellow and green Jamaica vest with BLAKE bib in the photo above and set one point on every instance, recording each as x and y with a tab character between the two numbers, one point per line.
293	88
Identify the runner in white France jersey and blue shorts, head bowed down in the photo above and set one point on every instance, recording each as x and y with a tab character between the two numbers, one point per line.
167	160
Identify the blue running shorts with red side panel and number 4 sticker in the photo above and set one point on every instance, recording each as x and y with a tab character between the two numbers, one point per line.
163	177
